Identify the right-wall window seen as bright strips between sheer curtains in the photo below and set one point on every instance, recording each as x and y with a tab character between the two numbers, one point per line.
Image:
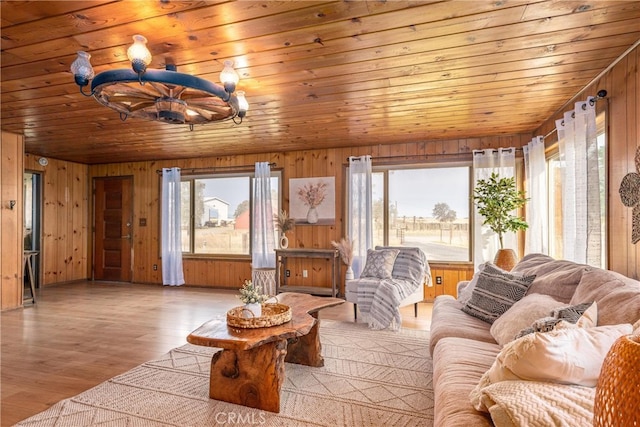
554	175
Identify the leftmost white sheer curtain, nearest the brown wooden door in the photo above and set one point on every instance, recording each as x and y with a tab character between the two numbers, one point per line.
172	273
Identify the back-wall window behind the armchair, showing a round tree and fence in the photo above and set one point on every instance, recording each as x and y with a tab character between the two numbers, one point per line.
424	206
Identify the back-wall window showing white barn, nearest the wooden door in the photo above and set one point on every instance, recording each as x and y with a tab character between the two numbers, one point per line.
216	213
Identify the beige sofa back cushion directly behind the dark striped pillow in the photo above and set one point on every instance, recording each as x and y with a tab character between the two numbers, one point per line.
558	278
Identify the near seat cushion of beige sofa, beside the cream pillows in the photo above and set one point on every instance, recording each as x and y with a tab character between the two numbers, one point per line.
458	365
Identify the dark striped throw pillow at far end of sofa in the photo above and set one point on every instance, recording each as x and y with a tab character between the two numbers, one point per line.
495	292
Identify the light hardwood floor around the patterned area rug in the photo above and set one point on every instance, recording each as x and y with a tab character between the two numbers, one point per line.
78	335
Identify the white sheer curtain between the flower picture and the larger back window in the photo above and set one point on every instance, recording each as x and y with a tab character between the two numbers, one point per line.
359	210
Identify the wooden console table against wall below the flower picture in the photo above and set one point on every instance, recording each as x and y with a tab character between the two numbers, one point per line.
330	255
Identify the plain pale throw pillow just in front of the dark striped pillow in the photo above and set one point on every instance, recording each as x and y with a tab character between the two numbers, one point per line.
521	315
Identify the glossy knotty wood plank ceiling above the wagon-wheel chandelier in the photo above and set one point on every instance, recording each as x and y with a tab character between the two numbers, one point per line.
316	74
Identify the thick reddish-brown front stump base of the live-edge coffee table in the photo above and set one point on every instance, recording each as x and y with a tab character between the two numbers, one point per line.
251	377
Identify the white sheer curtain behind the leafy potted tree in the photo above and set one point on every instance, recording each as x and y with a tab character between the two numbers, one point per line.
501	161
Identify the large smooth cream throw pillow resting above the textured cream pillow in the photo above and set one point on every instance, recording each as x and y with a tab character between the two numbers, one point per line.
569	355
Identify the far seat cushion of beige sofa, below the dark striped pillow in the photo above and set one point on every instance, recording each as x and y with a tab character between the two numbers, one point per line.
448	320
